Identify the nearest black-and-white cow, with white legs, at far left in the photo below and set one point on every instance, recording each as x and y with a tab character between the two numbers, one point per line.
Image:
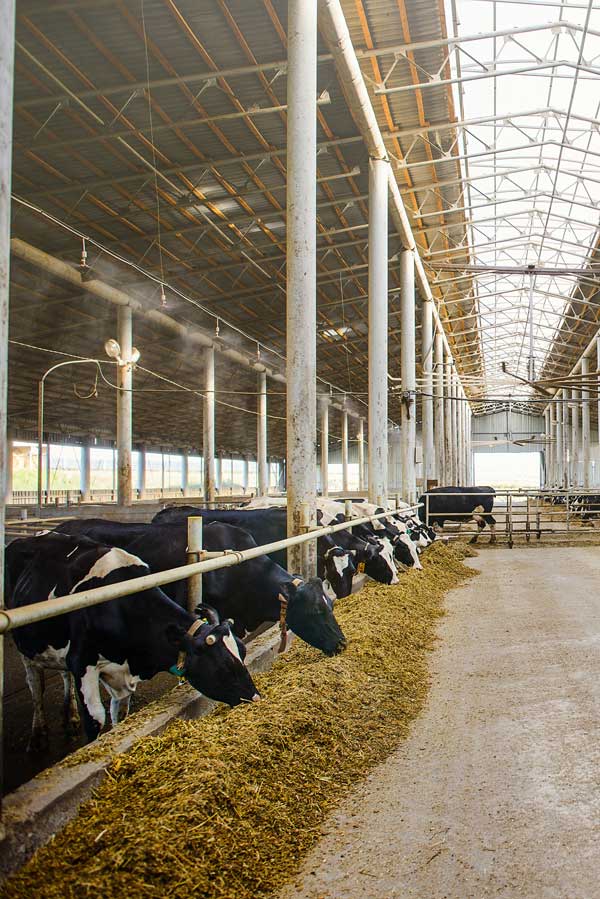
119	642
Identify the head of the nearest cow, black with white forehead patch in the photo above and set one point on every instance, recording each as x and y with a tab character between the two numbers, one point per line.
212	659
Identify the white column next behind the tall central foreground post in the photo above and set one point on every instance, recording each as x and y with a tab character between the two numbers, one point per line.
378	328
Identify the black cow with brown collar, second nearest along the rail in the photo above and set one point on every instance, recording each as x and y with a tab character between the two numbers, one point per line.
250	593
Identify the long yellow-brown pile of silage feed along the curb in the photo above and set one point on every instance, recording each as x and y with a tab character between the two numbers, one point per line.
227	806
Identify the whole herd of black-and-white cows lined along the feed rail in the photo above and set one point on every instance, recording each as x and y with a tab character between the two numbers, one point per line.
118	643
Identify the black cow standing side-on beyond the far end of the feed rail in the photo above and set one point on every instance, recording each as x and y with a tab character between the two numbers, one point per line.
464	504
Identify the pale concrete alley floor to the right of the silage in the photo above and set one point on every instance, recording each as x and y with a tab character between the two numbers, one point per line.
497	790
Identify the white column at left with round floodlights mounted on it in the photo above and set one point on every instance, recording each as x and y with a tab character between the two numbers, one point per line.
124	406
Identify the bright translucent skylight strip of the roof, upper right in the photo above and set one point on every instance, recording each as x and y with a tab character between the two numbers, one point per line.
527	91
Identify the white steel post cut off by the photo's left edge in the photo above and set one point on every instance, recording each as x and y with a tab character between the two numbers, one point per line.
7	42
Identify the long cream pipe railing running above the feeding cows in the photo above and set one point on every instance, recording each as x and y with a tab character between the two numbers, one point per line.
52	608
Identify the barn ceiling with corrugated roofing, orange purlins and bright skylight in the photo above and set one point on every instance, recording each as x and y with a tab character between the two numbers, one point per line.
163	137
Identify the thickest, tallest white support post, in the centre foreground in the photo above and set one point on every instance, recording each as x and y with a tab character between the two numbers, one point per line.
301	330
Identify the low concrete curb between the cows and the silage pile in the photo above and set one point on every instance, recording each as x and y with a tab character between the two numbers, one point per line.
43	806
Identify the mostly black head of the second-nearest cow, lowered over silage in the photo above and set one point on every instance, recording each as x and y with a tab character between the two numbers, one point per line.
310	615
